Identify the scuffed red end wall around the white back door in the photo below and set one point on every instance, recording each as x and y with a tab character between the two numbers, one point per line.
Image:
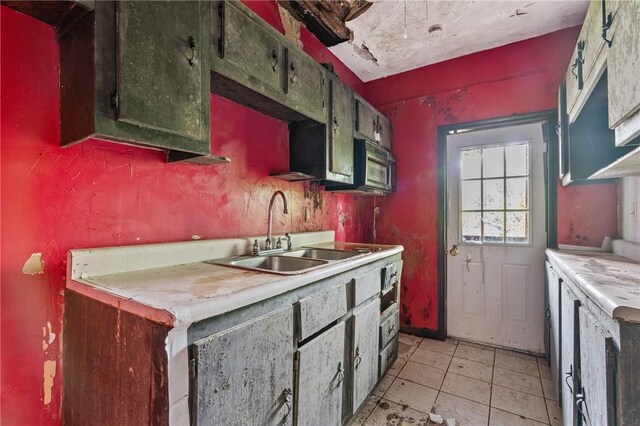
519	78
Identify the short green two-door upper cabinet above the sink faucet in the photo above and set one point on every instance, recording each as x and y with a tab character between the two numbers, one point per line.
256	66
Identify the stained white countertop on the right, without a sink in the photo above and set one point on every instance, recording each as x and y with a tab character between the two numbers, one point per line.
611	281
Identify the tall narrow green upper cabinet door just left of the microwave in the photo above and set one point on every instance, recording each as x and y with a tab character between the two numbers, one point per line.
340	129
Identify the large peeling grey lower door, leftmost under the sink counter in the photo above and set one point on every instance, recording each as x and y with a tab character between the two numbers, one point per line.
235	383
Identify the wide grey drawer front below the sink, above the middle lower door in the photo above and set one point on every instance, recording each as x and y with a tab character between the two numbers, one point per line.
320	309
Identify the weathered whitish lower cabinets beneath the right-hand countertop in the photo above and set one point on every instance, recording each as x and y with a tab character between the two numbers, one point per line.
597	373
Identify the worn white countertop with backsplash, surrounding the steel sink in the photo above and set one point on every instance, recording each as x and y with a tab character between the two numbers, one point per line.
192	290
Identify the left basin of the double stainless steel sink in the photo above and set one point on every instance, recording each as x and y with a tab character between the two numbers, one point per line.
286	265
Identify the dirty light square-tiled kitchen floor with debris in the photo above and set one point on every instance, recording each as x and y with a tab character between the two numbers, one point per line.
475	384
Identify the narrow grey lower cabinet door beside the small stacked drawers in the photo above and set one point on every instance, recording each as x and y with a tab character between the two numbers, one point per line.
366	320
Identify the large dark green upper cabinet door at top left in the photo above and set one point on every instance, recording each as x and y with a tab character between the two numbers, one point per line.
160	67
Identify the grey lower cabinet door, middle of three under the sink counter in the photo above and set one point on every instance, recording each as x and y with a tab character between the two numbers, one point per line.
321	379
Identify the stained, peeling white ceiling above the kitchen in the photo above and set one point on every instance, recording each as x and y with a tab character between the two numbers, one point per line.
467	26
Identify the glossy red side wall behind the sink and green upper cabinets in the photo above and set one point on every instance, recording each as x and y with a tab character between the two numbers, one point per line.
99	194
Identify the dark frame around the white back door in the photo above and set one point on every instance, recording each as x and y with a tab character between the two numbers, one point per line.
550	163
